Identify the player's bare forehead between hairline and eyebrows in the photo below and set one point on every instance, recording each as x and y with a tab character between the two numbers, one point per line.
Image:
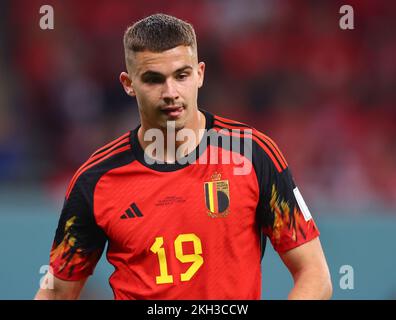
164	62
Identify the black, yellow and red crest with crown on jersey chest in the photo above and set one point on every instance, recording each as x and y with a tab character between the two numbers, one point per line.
217	196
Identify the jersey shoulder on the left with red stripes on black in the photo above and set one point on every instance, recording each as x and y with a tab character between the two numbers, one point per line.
112	155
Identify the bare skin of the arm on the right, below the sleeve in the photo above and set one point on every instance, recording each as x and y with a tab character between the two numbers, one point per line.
310	272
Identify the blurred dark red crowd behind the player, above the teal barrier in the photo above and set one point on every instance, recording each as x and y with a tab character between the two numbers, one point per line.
327	96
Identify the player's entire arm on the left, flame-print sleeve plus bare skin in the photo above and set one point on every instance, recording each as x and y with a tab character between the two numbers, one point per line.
76	249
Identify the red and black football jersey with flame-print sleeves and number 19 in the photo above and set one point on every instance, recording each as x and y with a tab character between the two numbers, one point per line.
189	230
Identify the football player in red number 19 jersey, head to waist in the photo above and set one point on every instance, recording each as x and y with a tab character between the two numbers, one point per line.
182	225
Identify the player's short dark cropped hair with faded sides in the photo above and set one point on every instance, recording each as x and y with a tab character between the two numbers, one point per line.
159	32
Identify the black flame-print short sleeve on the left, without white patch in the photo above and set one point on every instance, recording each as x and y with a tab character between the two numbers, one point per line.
79	241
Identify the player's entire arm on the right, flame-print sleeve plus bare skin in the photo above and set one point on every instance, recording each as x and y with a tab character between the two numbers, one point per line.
285	219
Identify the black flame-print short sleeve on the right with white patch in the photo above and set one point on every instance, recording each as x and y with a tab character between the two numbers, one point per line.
282	213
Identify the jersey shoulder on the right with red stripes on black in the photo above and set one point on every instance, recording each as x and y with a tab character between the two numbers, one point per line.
263	146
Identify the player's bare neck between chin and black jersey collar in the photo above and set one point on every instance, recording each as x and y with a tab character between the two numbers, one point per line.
175	144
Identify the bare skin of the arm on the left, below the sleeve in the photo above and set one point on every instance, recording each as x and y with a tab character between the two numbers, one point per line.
61	290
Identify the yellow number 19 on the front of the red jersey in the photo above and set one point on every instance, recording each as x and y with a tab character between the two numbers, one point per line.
195	258
